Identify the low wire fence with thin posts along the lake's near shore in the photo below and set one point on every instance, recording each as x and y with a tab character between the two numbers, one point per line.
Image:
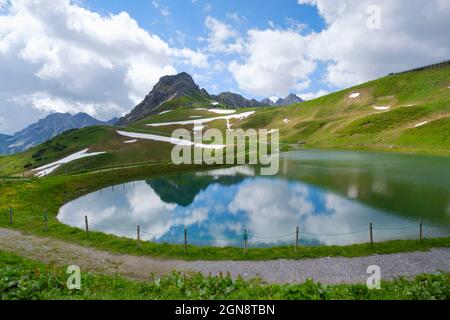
299	234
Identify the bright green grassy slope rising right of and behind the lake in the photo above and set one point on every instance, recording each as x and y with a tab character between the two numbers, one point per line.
337	121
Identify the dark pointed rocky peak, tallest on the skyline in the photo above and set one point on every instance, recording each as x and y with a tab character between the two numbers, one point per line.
169	88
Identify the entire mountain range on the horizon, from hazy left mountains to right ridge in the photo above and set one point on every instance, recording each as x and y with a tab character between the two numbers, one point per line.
170	92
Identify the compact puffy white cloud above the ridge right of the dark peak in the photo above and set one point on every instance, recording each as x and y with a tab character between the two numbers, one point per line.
276	63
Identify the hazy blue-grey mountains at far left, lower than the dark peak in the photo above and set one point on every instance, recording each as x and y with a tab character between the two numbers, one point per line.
45	129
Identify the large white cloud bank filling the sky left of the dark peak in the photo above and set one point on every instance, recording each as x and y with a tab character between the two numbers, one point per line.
80	59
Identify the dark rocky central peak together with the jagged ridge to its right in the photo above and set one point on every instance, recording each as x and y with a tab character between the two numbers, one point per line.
181	90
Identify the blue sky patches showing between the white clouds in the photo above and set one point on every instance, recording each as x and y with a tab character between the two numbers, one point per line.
182	24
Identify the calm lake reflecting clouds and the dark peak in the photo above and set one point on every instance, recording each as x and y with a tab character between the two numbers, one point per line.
332	196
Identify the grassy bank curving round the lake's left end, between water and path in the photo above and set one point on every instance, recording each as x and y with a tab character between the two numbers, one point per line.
31	198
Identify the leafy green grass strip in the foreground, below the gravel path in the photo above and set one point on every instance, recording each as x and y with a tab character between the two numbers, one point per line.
25	279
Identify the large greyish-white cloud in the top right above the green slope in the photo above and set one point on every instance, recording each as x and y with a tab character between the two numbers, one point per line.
411	35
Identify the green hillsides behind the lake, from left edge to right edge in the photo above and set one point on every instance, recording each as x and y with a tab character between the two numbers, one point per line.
414	117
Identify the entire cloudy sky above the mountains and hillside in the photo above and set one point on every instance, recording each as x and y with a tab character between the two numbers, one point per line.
103	57
